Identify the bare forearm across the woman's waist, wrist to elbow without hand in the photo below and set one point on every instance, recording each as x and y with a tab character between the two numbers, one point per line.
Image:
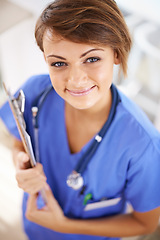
117	226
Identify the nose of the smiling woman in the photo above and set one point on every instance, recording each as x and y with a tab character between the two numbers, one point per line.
77	77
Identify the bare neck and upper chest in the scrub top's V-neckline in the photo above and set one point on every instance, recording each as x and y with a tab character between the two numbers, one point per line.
82	125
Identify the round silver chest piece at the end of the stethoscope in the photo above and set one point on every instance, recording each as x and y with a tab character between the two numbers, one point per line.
75	180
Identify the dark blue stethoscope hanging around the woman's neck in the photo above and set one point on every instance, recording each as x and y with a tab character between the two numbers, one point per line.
75	179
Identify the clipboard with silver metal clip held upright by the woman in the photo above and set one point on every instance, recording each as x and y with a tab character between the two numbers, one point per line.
17	106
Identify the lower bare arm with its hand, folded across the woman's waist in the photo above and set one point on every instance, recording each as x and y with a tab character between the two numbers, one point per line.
124	225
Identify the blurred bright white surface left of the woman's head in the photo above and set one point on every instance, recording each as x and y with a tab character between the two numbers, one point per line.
19	55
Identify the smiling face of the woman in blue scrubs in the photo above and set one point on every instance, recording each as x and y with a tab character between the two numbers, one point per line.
80	73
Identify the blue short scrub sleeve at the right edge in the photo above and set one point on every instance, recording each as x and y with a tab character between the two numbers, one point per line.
143	179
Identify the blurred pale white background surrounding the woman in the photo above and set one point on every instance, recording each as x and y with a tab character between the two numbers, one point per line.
20	58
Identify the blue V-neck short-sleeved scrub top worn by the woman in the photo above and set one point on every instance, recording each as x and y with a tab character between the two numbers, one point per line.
127	160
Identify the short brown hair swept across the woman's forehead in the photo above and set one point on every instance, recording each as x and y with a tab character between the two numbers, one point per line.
87	21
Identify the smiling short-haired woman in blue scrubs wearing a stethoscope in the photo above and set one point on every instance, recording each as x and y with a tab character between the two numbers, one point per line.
97	150
